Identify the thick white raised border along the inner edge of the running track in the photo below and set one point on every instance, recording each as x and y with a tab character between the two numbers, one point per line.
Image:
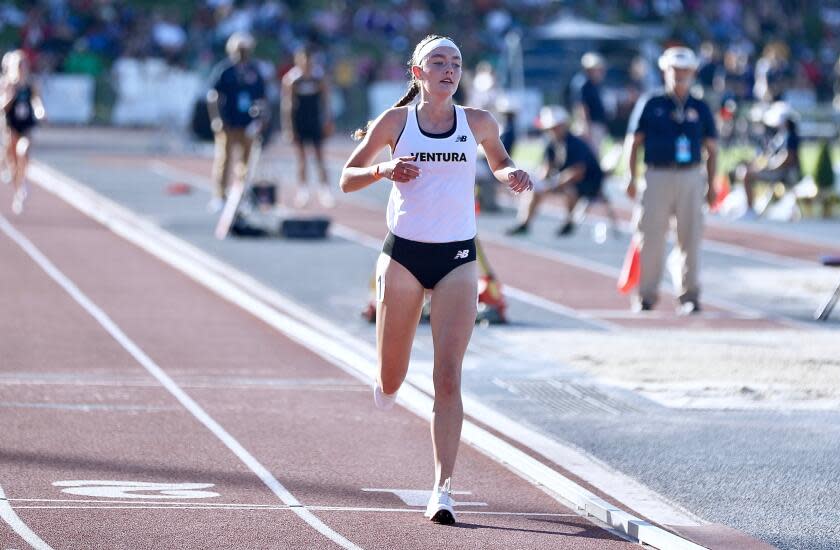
203	269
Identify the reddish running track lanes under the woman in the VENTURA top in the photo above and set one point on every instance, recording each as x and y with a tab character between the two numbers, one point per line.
82	419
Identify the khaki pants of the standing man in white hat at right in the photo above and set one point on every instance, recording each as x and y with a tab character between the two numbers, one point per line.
677	193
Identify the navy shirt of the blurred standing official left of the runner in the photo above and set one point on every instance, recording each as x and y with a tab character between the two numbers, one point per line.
239	86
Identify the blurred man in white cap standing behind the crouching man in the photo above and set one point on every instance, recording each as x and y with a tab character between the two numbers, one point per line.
588	103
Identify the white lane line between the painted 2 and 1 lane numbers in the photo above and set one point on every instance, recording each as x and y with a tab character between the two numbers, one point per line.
191	405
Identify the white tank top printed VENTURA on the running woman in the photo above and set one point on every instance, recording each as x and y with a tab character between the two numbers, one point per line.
438	206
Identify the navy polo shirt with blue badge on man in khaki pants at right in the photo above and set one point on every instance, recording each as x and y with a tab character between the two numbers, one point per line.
658	118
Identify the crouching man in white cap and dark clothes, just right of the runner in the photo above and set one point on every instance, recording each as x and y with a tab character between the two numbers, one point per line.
569	167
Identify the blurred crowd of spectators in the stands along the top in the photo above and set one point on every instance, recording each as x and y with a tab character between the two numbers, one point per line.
751	50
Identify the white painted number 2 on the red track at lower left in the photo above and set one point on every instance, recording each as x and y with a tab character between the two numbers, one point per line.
135	489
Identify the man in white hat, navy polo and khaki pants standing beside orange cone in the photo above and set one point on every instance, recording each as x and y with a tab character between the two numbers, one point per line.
675	129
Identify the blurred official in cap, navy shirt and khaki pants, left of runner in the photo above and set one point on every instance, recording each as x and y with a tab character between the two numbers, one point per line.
236	103
